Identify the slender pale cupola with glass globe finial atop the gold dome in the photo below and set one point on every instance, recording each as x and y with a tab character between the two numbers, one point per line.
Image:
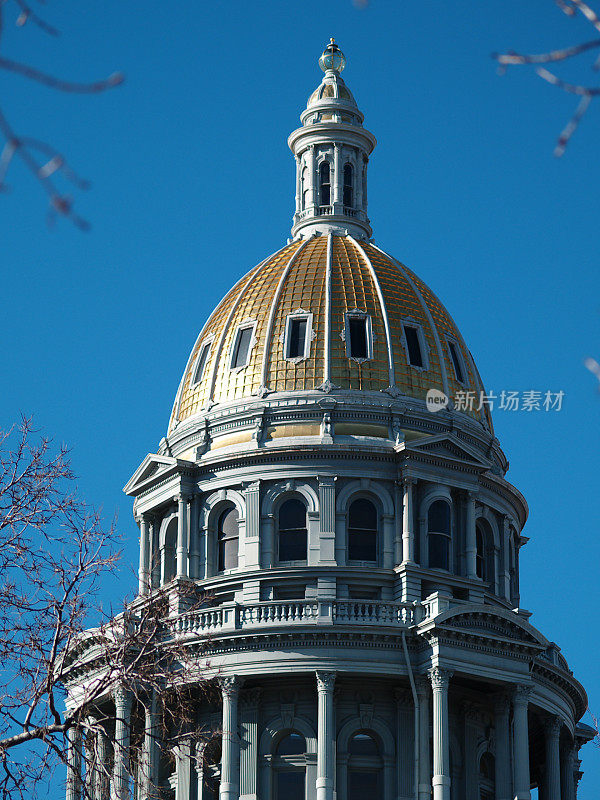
332	152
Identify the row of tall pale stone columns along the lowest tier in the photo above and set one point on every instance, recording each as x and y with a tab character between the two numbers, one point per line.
512	781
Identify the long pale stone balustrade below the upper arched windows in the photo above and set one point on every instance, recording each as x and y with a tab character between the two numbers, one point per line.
291	613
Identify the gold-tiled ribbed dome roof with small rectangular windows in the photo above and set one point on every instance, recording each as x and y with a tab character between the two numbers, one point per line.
327	281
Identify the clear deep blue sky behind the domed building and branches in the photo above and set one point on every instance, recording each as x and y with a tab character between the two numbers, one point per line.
193	184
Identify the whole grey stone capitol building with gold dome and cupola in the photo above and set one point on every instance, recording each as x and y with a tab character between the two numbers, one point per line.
357	550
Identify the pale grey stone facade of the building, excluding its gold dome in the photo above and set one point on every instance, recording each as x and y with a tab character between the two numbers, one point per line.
361	556
